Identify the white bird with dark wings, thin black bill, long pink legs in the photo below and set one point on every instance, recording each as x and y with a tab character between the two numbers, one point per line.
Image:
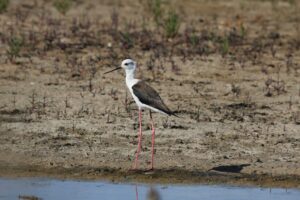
145	97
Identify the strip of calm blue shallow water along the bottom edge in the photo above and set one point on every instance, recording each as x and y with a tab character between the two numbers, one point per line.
70	189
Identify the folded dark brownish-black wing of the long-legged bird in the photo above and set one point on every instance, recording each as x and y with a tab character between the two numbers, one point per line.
147	95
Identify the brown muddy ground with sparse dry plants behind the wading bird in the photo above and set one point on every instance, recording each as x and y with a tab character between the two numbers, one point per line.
232	74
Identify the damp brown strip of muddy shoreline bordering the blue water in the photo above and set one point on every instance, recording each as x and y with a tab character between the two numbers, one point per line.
160	176
